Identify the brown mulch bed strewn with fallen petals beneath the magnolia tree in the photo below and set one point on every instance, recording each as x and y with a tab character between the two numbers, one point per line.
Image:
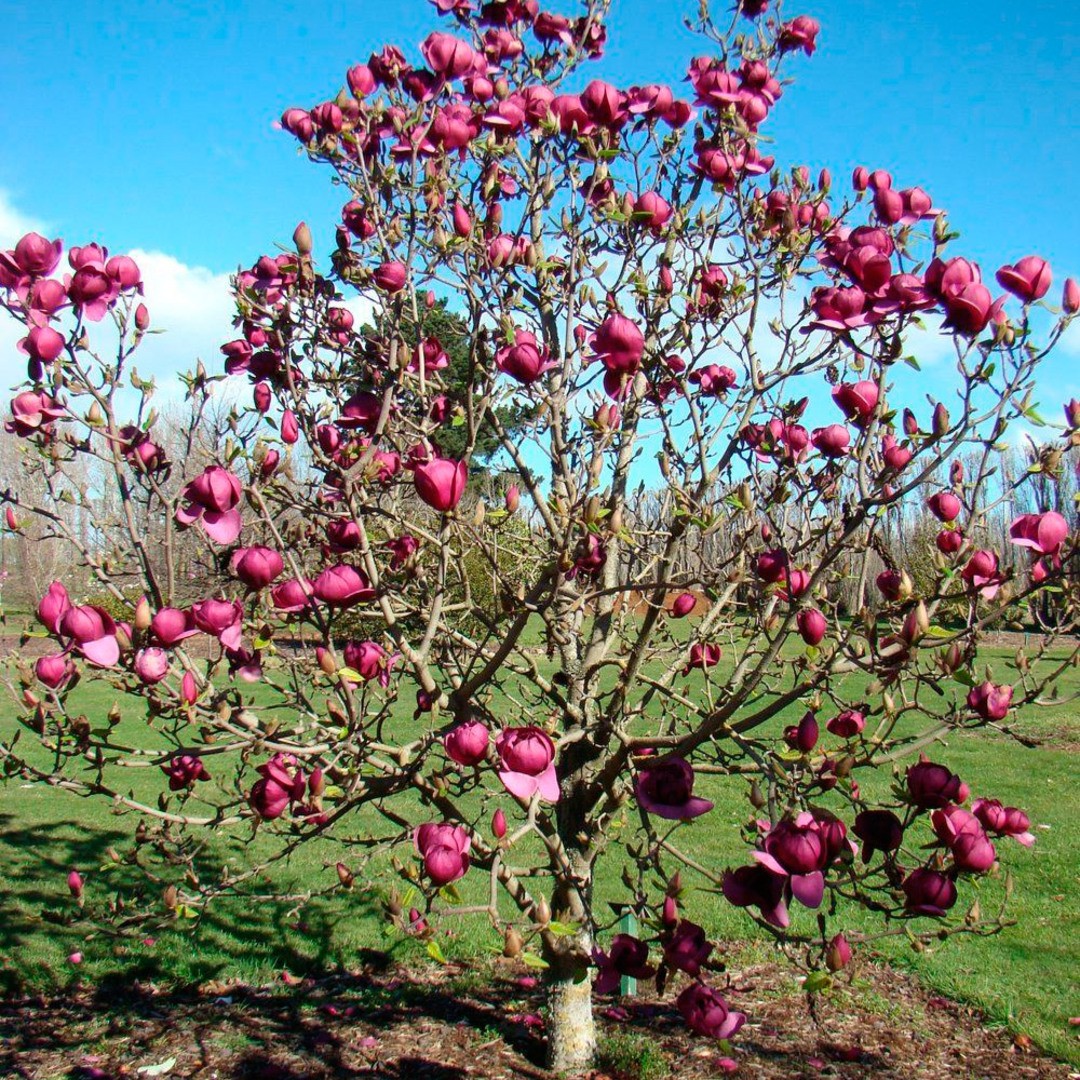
456	1023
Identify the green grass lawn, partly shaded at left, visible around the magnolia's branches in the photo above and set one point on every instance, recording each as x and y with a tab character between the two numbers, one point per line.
1025	977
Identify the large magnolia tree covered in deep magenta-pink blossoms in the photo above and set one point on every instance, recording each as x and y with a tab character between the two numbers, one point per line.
491	697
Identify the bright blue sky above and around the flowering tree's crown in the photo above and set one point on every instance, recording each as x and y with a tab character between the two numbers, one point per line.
150	125
